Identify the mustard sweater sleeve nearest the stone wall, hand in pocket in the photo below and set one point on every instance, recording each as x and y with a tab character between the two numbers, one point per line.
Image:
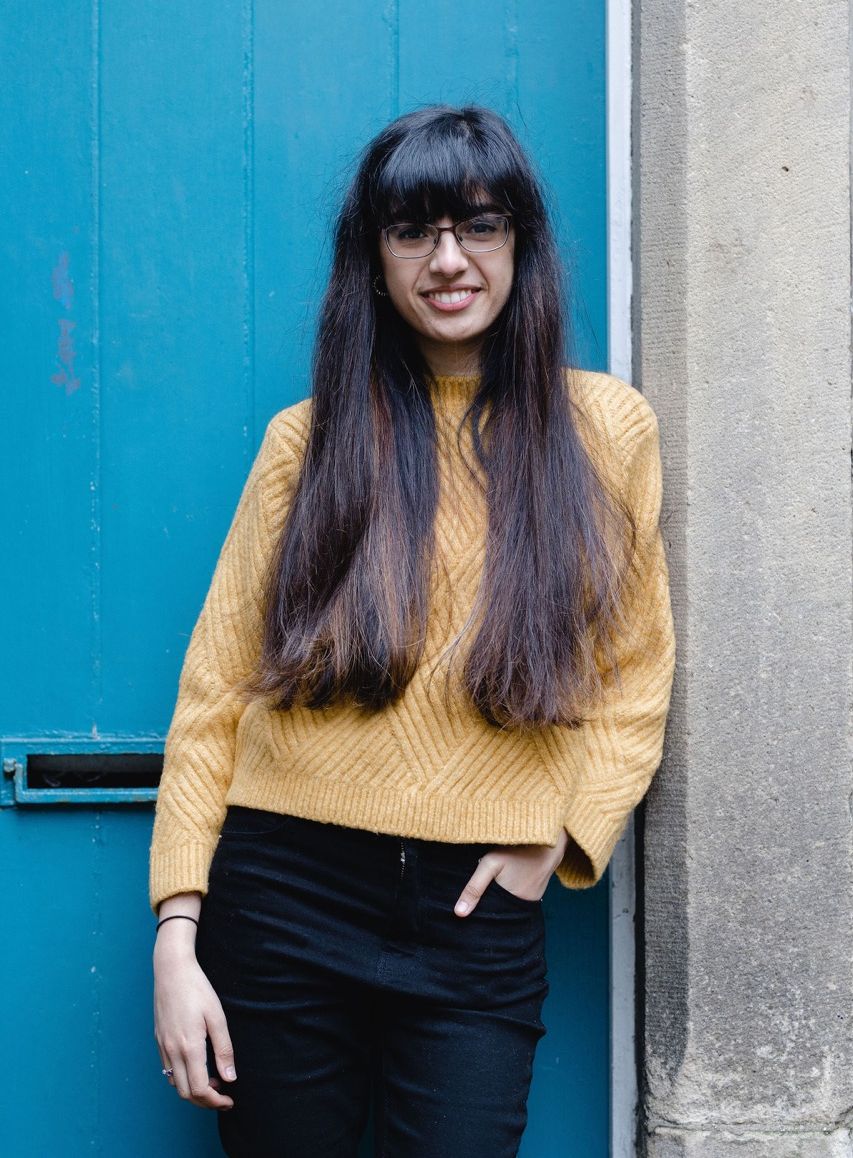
624	743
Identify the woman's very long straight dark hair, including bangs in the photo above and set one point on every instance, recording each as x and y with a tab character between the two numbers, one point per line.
348	593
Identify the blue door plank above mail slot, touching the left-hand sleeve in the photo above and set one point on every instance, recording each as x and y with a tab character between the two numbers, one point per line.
178	412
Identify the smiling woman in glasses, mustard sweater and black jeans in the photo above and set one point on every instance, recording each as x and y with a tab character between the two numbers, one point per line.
433	670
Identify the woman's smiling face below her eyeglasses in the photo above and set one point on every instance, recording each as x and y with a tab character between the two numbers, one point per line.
451	332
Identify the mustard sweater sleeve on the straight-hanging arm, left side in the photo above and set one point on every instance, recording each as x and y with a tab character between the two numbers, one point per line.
201	745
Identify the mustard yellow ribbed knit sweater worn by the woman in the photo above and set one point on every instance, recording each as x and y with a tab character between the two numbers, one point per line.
423	768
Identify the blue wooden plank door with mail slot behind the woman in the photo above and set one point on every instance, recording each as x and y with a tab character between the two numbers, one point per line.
170	177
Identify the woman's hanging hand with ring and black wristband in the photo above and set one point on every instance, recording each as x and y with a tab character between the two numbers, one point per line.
187	1012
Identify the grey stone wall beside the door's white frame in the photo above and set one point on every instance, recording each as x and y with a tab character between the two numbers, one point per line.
742	333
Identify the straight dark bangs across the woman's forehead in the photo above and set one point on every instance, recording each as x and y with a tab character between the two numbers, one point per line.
438	174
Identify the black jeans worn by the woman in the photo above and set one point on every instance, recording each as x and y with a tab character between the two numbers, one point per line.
344	973
